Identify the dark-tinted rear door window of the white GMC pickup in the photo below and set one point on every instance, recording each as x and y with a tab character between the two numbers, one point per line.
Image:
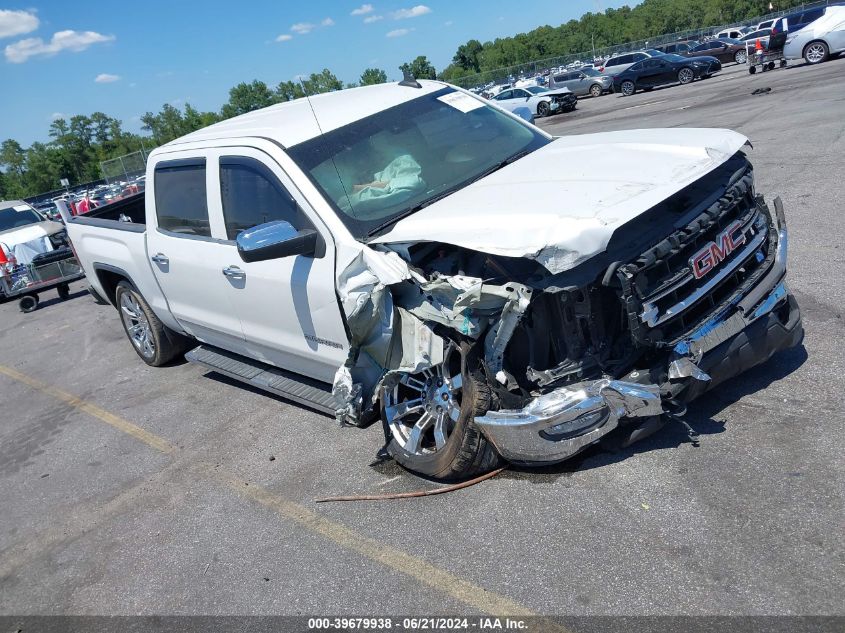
181	205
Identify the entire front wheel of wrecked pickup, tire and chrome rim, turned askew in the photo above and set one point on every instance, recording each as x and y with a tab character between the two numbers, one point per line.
430	417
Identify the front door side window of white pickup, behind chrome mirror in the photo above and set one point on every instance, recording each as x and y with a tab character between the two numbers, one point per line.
252	195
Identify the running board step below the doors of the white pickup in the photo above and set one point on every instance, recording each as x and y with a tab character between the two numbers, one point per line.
307	391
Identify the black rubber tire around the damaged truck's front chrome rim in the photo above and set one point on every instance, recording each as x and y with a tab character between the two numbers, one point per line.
467	453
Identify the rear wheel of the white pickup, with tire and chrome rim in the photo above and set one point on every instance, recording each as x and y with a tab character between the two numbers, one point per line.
154	342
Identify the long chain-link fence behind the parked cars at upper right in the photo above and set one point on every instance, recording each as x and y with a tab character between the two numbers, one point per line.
505	74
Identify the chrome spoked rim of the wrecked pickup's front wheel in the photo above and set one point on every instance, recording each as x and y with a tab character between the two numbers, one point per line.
421	409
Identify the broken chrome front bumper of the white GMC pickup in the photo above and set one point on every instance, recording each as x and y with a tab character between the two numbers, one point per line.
557	425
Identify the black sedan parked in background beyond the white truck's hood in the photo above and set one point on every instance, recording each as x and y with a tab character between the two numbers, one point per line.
663	70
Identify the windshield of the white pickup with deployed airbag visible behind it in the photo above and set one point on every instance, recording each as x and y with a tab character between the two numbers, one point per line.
385	166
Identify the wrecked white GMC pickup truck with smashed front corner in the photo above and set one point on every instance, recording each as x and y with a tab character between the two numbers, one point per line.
412	253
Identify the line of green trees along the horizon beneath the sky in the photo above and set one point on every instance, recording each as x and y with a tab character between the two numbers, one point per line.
80	143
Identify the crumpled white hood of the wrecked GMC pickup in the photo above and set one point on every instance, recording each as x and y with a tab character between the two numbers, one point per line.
561	204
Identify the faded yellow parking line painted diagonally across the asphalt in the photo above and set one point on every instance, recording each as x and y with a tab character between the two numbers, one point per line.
392	558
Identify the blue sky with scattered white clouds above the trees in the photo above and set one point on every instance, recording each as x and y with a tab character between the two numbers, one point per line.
124	58
